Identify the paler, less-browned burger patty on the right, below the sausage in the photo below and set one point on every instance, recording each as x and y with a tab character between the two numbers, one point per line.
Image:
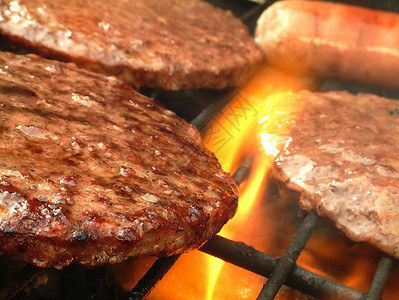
343	160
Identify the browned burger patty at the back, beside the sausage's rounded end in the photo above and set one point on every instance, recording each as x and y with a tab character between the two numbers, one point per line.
168	44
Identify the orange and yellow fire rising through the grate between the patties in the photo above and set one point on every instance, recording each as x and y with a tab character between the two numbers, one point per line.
233	136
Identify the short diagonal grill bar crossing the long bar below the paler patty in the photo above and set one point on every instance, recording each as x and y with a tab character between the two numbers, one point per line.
288	260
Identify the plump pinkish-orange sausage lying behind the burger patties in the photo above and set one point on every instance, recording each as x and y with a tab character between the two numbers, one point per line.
331	40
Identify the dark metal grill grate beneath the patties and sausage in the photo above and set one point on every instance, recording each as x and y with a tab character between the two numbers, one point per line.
280	271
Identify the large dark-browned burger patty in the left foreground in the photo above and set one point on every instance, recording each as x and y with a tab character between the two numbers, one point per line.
93	172
